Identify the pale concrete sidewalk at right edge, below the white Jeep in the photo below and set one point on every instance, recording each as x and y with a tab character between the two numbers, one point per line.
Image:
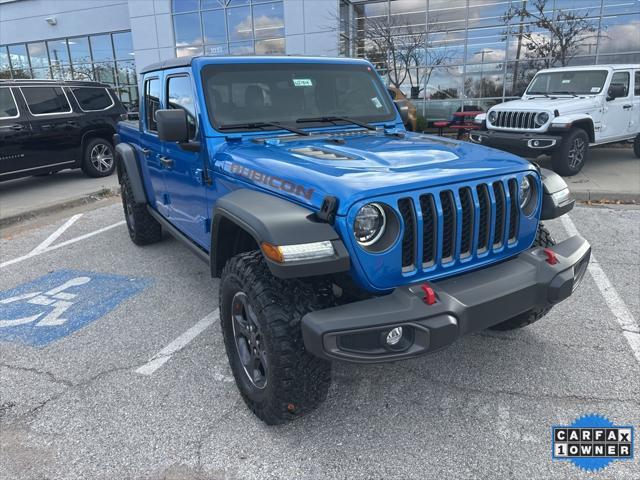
610	174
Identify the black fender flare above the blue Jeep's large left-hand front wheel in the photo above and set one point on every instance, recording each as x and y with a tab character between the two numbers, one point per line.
272	219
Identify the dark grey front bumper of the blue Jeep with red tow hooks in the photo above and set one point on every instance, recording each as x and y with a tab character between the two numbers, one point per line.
464	304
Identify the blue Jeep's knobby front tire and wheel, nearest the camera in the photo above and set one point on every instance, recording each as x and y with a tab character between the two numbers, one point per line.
291	382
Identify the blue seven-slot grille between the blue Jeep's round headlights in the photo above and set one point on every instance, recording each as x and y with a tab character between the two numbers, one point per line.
457	221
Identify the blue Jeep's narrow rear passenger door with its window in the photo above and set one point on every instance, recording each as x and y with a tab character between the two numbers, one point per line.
150	149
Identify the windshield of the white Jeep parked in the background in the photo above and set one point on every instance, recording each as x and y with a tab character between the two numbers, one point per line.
568	82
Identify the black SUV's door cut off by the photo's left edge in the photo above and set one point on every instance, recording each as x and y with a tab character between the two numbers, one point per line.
15	132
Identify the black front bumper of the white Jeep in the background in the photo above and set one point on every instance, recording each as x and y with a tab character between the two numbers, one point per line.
520	143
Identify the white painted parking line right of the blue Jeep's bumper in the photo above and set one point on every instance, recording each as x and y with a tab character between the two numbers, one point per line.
628	323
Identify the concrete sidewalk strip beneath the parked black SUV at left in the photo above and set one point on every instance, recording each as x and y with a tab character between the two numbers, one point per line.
32	196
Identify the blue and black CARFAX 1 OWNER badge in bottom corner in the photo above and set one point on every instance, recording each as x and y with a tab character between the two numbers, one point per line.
592	442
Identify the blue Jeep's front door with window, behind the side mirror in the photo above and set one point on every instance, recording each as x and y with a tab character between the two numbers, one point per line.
184	177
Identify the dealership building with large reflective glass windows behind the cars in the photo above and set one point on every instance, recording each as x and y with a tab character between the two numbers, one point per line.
442	53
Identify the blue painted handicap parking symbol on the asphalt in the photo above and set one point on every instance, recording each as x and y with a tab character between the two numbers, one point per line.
60	303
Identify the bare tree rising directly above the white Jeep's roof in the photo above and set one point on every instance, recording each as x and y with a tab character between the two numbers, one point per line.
550	36
